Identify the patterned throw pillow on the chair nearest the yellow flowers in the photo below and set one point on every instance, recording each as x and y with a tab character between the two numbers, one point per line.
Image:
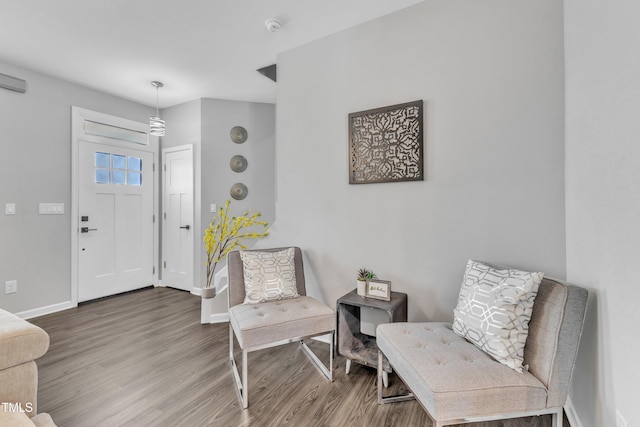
269	276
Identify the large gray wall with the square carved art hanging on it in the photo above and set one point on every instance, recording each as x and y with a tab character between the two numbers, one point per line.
491	76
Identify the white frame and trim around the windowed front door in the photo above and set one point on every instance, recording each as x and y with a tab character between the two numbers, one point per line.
80	132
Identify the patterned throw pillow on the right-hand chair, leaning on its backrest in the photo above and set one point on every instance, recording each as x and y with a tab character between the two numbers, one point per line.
494	309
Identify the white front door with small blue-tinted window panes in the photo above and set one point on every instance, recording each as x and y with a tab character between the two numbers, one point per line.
115	239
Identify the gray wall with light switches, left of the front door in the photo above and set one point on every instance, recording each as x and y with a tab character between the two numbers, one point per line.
35	167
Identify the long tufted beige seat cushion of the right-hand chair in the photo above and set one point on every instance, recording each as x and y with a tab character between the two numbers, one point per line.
451	377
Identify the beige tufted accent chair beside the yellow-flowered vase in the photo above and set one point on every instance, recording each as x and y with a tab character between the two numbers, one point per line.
259	324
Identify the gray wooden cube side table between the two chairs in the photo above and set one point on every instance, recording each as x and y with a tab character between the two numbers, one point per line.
356	346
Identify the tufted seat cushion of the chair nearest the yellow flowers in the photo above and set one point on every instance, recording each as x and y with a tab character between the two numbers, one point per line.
273	320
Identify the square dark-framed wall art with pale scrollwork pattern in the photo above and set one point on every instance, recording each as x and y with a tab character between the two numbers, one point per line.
386	144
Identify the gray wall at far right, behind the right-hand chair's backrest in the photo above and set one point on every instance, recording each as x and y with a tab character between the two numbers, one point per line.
603	202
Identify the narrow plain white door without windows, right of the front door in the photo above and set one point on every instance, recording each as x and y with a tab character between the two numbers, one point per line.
178	220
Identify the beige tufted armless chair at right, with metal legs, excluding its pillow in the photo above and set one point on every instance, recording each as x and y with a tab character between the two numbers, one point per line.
456	382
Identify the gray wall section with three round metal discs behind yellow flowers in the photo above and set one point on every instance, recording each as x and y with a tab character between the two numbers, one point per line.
206	123
